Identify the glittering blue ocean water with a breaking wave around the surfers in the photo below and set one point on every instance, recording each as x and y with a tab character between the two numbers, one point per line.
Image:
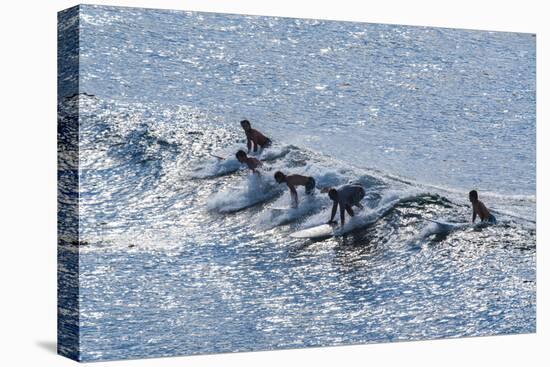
180	252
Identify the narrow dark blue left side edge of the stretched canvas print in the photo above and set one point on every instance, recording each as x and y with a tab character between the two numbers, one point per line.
68	330
